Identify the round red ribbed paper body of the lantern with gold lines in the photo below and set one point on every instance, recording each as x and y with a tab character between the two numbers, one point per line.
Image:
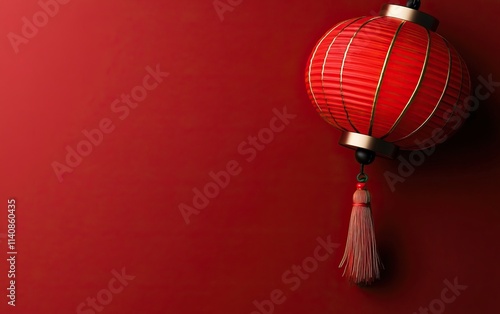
389	79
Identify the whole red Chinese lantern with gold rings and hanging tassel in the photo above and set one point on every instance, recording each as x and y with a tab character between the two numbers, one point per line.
388	82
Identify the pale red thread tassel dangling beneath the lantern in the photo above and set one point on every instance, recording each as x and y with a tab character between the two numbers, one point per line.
362	263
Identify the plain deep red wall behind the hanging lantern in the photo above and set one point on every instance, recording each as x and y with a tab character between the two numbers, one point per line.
120	206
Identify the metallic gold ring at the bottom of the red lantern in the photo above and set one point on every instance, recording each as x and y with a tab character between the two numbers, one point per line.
380	147
